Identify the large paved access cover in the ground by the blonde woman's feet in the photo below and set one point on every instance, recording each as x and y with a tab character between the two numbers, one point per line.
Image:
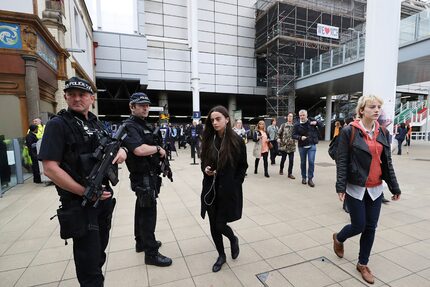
318	272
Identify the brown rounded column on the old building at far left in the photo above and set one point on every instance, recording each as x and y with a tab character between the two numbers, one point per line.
31	87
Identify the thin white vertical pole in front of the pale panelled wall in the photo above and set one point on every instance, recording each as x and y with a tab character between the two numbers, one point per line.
195	59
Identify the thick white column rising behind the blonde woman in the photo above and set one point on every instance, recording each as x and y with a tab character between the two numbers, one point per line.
380	65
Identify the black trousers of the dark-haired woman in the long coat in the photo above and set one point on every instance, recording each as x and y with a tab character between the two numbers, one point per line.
218	229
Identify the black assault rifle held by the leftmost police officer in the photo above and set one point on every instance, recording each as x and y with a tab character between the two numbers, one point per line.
104	155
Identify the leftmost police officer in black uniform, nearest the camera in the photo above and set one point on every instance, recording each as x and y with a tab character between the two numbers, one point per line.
68	142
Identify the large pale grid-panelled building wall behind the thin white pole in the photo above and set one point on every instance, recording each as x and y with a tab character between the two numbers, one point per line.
158	57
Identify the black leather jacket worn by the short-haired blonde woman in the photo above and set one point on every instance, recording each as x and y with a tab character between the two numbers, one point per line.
353	161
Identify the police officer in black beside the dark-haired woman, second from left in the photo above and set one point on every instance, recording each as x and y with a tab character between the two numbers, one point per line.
143	163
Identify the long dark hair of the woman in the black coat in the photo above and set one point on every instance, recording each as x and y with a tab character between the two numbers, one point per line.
230	144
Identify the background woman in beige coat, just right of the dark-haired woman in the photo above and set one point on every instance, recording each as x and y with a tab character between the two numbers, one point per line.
261	147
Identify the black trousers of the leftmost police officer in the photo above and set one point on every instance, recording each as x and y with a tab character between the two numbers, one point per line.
89	250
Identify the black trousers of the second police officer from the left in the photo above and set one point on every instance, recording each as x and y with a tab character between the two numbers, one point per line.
145	220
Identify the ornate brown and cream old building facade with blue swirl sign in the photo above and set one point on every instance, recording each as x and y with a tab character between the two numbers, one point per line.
36	37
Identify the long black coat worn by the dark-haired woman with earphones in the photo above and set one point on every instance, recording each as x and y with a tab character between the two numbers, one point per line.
228	202
